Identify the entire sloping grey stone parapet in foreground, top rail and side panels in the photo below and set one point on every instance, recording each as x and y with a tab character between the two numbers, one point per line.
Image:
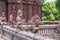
14	34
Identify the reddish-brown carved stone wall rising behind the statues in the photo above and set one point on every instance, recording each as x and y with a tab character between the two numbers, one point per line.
29	8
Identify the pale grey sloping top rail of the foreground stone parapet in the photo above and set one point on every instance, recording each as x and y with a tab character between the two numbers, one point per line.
24	33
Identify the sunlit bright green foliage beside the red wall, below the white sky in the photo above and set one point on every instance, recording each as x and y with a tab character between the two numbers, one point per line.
48	9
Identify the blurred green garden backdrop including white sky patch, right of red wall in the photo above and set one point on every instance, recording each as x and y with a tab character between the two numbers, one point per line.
50	10
